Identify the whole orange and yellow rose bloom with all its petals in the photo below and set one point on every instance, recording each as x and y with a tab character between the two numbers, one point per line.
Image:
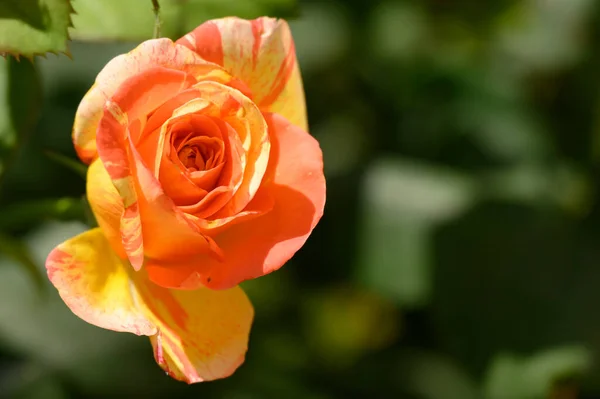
201	176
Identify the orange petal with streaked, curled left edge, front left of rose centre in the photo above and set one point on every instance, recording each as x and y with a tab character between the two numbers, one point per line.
151	225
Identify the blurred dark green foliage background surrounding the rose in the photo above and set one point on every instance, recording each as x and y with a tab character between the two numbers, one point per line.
459	254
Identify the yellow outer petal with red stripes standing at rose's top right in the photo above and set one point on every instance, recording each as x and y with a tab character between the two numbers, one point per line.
260	52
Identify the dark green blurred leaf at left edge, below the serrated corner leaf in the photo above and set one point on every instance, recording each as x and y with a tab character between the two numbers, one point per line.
20	96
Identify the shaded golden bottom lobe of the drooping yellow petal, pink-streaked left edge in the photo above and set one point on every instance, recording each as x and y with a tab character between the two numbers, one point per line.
203	334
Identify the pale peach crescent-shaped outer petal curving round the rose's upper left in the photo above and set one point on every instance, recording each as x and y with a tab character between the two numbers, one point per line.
151	53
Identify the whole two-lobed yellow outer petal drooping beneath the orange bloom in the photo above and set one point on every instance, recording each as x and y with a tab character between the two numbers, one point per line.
197	335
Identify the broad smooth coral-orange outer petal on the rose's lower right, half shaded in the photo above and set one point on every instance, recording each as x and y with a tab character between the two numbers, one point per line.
261	245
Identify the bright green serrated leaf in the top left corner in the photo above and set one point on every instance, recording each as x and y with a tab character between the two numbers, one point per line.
32	27
